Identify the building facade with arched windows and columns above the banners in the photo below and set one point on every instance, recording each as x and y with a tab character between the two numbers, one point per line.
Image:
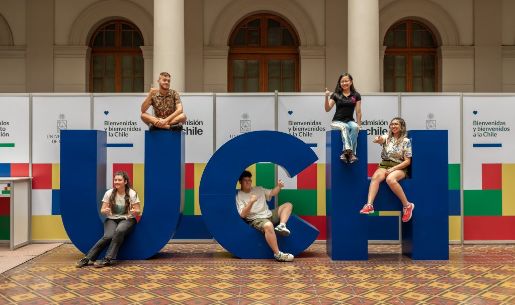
266	45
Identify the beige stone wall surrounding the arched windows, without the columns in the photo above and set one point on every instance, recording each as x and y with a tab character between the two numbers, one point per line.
321	24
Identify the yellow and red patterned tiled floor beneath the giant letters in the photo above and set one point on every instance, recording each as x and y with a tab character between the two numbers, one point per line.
207	274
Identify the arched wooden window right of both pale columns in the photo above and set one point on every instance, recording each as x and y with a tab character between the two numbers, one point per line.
410	61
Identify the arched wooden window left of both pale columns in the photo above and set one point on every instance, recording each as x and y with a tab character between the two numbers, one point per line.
116	58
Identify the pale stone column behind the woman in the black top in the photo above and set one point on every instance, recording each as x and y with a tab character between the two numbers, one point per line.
363	44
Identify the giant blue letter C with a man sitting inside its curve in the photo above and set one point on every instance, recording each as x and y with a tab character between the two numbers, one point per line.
217	193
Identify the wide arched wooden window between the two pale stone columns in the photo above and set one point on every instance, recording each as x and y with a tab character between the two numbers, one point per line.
263	55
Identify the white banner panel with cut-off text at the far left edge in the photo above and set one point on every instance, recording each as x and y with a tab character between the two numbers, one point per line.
14	129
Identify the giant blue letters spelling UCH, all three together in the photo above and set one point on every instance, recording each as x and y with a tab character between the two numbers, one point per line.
83	161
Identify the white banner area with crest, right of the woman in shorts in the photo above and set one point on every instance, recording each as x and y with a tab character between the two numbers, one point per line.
435	112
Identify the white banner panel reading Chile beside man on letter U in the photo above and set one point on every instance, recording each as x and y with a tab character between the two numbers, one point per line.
199	127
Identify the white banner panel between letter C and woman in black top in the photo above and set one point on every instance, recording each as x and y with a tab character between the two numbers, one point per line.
304	117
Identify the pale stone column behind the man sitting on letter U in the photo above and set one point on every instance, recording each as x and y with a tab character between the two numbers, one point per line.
169	41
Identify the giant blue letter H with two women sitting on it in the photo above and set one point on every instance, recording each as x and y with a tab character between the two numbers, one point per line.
425	236
